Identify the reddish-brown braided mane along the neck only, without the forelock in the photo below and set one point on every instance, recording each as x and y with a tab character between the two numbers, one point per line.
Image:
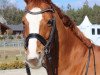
69	23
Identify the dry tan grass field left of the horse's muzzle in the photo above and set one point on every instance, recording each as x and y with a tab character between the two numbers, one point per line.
8	54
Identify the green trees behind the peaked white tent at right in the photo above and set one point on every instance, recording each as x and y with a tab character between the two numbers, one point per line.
79	14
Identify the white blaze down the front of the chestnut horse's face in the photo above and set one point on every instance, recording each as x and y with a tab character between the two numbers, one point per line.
34	24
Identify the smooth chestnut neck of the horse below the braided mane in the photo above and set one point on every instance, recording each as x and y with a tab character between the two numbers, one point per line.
71	49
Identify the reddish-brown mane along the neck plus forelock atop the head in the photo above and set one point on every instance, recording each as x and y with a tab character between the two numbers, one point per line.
66	21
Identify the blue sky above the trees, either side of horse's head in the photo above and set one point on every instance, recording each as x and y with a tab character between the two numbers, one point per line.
74	3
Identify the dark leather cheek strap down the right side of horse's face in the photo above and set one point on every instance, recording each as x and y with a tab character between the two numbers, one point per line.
47	48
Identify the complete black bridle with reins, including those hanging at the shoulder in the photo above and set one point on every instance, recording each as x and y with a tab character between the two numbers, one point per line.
47	44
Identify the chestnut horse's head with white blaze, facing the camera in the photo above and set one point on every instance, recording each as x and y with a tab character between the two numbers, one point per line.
38	24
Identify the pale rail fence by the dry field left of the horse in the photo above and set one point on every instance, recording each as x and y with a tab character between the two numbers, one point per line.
11	48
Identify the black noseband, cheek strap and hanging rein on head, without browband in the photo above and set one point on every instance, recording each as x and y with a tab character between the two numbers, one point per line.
47	45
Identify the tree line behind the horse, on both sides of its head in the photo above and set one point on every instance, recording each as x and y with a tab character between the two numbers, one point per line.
13	15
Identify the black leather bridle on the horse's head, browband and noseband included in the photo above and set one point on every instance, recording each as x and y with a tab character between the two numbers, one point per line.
47	44
